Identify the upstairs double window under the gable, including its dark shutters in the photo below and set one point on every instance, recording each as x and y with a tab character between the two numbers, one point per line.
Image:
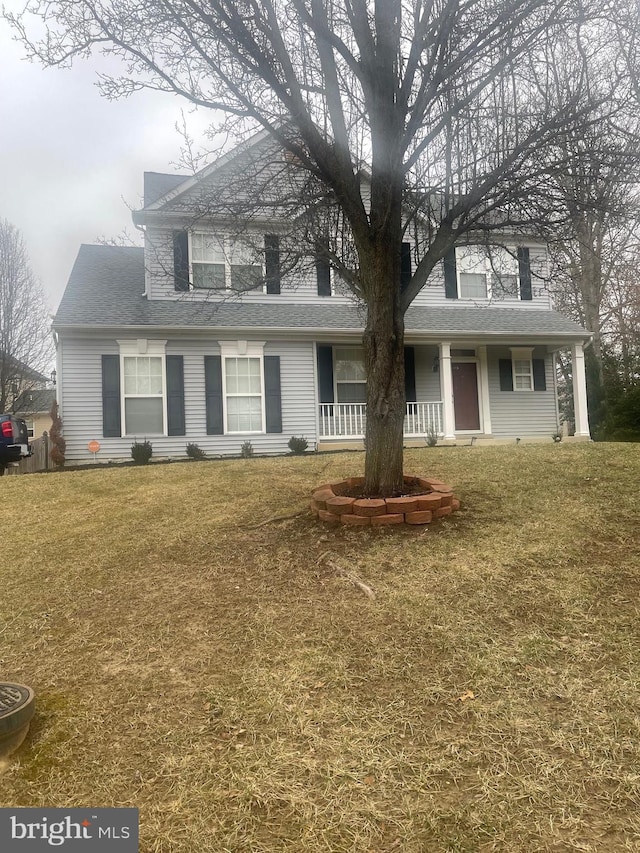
206	261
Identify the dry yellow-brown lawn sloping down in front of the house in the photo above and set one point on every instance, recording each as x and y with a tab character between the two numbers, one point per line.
235	684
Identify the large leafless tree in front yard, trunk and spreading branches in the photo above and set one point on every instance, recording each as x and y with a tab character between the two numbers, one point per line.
447	106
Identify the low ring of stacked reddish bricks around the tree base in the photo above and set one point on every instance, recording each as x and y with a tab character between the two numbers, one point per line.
426	500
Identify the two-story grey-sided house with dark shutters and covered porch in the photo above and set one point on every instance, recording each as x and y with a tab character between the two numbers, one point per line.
203	336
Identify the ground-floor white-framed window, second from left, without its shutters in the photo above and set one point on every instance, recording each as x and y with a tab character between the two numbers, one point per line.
243	386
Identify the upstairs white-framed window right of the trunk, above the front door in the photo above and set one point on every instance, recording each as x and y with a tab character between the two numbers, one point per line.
485	273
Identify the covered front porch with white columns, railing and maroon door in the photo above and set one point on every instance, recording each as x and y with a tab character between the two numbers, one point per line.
454	390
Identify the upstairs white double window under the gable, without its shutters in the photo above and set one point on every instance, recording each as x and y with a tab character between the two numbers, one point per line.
221	263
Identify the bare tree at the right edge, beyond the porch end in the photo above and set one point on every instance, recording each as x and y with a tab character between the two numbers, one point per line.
598	195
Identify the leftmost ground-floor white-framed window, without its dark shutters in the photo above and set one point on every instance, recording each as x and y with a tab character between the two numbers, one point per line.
144	382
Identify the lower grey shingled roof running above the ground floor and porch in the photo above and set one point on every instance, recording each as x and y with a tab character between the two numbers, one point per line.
106	289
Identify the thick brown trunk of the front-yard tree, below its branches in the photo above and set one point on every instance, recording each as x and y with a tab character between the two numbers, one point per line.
384	357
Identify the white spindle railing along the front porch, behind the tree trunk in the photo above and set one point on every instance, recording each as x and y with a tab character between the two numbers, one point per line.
348	420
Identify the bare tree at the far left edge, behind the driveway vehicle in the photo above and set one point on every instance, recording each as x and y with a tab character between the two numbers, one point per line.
25	339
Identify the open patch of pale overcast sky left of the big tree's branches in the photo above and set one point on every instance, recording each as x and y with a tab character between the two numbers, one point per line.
71	161
